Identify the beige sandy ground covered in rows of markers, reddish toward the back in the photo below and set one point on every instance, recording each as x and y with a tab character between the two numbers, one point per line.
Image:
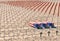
15	16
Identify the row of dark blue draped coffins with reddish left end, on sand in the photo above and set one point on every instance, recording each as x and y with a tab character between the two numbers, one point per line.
43	25
